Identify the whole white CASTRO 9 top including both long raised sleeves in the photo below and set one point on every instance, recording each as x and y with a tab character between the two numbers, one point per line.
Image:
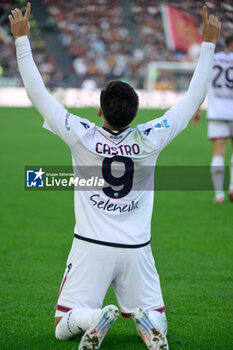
120	211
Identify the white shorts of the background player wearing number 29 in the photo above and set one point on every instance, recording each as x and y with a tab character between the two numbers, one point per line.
220	129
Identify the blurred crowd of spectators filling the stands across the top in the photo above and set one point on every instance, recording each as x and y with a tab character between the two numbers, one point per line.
105	39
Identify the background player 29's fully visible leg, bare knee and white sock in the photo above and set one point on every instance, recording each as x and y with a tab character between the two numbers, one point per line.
217	168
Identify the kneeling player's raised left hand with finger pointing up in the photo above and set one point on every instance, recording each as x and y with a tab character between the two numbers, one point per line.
20	24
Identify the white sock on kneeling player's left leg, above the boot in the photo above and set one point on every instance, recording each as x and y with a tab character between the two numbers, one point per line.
75	321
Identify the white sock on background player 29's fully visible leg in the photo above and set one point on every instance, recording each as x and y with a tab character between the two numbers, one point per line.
217	174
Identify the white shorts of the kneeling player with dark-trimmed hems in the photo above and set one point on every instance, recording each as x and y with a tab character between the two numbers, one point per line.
91	268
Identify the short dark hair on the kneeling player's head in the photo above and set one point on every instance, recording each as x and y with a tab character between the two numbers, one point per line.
119	103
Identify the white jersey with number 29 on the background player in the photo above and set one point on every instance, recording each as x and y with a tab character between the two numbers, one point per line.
220	92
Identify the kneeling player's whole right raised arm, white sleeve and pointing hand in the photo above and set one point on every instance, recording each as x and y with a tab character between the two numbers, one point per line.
176	118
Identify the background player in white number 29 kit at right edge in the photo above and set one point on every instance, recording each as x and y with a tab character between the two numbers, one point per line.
220	117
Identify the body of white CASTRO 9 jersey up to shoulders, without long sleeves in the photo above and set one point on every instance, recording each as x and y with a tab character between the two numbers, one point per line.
120	212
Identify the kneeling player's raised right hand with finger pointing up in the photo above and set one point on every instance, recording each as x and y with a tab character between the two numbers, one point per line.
211	27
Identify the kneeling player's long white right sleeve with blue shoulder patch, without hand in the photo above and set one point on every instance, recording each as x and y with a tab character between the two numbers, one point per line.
161	131
